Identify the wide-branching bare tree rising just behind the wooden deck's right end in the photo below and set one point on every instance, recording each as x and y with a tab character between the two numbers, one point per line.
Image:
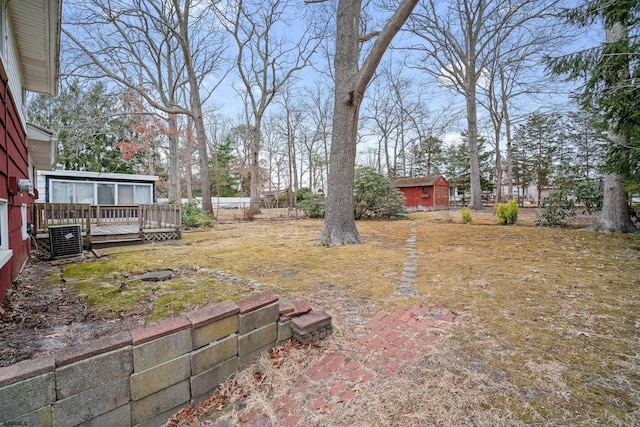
153	47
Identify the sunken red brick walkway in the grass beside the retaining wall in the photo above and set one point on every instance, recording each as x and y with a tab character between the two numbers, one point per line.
387	343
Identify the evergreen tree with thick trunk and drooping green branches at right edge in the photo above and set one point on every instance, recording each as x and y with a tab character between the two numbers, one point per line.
612	94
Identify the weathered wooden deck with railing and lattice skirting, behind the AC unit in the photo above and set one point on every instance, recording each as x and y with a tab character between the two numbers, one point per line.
104	226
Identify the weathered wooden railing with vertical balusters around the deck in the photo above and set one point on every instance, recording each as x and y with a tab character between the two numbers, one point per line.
146	216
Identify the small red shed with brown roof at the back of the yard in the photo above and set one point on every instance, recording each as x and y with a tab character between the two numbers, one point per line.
425	193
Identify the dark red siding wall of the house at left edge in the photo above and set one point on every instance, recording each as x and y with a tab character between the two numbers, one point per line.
13	163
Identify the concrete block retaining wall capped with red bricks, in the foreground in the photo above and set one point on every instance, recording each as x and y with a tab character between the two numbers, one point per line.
142	377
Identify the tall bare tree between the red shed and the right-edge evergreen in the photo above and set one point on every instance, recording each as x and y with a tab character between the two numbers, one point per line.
461	37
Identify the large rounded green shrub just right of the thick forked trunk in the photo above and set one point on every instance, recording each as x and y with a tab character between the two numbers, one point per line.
374	197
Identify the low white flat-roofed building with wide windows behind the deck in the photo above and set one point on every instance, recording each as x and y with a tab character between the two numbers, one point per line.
95	188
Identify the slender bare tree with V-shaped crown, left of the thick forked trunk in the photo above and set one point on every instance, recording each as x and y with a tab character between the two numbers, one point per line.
267	58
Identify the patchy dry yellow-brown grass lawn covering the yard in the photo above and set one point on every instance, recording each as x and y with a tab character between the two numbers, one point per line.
548	326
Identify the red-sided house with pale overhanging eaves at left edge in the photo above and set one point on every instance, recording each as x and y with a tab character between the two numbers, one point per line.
29	56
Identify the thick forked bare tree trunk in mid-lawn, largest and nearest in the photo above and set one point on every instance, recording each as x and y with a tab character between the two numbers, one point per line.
350	84
